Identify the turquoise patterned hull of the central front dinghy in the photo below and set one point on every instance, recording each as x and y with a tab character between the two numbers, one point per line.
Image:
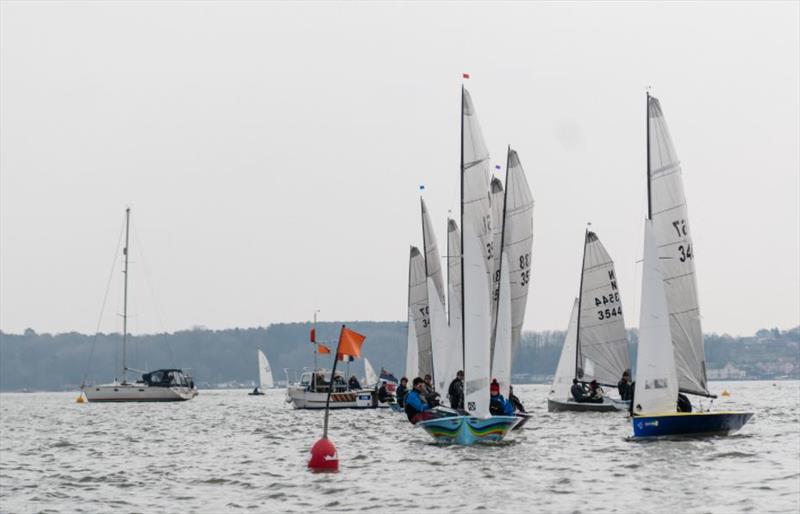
468	430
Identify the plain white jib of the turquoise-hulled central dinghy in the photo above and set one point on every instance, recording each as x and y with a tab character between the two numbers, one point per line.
476	326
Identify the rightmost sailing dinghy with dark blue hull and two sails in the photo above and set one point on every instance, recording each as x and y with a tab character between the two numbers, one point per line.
671	357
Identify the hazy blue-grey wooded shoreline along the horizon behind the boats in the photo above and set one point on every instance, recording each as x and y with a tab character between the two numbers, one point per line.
36	361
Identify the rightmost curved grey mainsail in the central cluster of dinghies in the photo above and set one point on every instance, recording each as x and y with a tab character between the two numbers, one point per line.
518	242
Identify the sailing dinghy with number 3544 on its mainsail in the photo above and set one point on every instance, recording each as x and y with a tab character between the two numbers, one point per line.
596	347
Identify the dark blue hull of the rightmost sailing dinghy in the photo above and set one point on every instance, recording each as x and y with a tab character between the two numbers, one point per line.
689	424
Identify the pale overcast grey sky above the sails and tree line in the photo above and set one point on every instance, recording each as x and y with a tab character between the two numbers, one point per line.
272	152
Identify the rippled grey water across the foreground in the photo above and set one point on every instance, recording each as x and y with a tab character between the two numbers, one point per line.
227	452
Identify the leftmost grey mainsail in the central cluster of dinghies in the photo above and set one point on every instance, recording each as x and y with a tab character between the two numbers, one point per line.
419	311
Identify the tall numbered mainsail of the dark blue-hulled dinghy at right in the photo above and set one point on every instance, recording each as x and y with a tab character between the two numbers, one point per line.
667	209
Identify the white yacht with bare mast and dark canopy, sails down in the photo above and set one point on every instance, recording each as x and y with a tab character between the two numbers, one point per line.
163	385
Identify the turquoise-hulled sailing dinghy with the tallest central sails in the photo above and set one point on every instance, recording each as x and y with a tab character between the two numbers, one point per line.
475	424
